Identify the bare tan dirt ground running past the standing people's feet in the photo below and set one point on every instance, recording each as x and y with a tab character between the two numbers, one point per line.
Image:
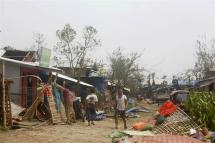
76	133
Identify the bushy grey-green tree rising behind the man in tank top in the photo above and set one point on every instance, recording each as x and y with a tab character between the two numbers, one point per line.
125	70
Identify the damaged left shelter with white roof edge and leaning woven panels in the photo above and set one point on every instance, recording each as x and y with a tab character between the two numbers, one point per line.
26	88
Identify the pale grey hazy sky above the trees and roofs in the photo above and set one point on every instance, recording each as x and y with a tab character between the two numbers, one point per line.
165	31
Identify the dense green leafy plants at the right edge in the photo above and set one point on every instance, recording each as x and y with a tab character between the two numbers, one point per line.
201	106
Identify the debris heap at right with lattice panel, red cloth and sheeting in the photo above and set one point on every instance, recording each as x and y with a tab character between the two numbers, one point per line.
170	124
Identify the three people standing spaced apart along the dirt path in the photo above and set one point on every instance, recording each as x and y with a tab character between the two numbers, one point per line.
91	105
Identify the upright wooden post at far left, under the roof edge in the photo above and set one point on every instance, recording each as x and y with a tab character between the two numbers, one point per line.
3	98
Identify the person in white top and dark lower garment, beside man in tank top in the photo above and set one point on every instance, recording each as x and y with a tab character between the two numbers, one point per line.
91	100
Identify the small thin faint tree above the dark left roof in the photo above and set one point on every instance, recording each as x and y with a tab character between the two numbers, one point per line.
39	43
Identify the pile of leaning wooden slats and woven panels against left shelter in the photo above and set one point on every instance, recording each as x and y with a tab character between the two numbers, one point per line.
47	107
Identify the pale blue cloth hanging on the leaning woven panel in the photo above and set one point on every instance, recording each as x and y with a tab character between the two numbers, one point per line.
57	98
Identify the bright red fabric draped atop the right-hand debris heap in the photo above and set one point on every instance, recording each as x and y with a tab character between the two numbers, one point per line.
167	108
